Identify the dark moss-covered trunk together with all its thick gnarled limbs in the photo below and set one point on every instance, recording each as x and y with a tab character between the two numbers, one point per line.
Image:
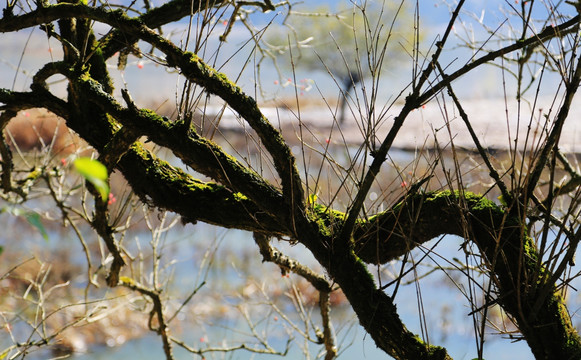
240	198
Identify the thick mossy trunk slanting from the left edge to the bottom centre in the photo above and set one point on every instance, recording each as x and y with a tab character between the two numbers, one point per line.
169	188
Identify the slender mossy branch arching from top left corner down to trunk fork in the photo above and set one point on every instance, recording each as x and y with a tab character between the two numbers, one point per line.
193	68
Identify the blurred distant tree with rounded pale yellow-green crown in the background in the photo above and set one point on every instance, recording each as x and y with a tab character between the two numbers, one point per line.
350	41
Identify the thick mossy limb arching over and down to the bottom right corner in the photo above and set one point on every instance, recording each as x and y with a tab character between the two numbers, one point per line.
505	245
